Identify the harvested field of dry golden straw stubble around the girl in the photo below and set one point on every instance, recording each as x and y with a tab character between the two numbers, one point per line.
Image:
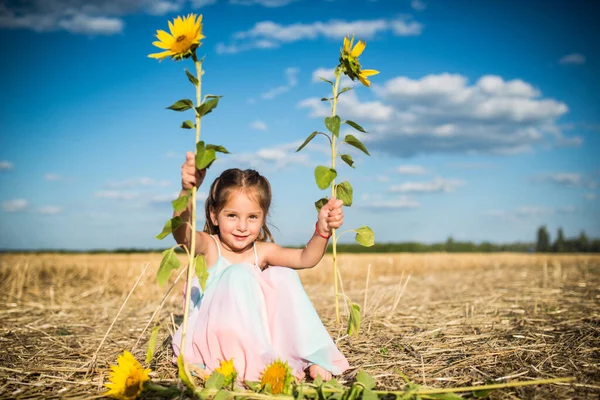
444	320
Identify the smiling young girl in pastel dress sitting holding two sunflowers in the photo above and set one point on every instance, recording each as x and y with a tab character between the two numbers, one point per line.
253	310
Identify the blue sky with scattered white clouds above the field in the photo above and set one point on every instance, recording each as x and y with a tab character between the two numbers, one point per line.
483	124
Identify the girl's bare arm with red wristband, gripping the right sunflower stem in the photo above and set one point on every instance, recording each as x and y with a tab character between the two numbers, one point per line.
331	216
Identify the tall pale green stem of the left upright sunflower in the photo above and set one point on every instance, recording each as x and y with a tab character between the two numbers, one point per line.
192	249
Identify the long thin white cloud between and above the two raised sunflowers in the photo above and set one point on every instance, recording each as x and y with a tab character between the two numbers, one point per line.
269	34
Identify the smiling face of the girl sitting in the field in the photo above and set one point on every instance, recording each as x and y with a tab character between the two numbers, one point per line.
239	221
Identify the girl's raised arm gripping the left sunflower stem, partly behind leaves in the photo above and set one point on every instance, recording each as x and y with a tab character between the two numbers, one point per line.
190	177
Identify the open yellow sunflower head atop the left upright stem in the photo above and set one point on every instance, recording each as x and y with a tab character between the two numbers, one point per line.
185	37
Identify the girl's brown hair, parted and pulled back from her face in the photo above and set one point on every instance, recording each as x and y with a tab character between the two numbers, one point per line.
232	180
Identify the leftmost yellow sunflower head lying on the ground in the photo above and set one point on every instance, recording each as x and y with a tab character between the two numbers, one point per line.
127	378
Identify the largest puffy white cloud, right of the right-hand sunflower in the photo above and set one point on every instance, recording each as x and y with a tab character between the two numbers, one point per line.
444	113
